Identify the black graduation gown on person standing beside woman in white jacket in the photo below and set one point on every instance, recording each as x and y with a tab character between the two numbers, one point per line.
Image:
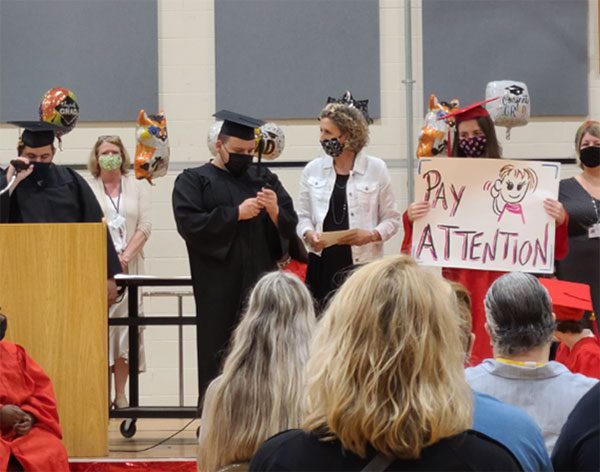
227	256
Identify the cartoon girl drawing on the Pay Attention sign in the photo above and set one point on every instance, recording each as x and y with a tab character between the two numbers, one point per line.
510	189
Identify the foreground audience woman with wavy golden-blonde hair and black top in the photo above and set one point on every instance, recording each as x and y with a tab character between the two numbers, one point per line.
386	382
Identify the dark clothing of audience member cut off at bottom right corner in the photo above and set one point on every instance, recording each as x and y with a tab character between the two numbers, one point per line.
578	446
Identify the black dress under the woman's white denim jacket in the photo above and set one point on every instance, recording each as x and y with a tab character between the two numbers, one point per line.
327	272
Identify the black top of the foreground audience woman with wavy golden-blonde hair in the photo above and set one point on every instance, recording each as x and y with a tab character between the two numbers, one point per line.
297	450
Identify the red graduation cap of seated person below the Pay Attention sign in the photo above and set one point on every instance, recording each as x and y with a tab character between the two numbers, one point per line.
569	299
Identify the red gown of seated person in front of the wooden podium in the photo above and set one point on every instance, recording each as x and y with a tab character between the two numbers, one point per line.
23	383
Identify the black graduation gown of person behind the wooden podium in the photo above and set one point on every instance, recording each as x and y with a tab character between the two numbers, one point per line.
62	197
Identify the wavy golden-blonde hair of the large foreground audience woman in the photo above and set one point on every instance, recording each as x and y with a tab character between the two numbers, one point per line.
386	368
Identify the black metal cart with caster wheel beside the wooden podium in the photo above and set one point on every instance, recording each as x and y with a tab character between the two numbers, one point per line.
133	284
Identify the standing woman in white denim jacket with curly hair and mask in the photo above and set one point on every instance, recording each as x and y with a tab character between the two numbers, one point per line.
345	189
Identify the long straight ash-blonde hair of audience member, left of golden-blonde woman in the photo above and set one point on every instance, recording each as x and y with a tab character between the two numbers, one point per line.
261	389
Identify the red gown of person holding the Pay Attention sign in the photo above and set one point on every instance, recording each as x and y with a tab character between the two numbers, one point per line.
477	282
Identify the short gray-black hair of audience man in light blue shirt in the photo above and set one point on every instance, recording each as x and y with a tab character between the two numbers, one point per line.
518	312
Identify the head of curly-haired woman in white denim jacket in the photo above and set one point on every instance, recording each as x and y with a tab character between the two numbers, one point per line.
345	123
